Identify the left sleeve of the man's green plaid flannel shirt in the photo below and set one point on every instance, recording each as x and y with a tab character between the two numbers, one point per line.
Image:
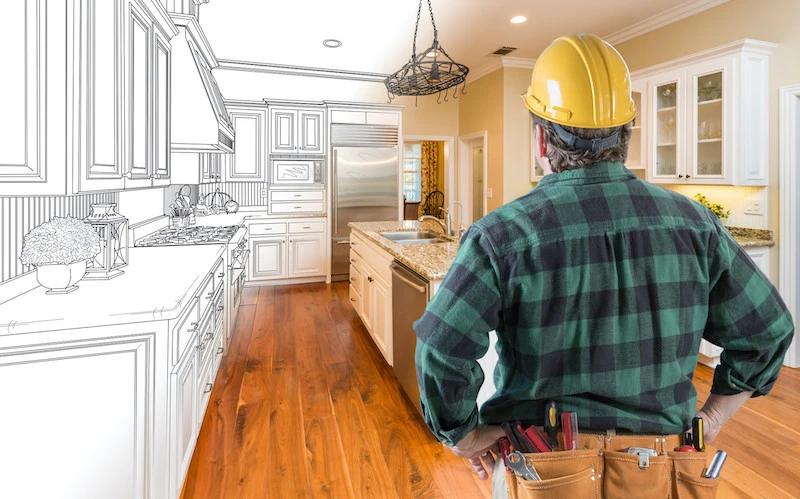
452	334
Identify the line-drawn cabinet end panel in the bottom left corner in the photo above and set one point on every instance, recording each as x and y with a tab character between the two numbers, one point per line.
83	409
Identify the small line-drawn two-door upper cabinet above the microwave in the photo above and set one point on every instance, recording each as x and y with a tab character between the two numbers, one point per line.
297	130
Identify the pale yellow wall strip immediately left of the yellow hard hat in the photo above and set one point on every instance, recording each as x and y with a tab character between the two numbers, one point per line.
516	136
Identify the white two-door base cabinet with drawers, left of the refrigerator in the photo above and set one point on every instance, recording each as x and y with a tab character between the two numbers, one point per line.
287	249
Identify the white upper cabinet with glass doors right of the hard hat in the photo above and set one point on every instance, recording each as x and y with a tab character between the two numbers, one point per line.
704	118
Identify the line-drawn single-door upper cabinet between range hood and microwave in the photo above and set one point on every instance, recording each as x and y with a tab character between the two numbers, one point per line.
249	160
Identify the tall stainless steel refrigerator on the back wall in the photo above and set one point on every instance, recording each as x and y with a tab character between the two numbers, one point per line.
365	185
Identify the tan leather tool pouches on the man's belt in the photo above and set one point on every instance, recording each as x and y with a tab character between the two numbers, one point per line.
597	471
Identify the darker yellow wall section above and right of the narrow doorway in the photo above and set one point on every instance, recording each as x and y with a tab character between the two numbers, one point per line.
481	108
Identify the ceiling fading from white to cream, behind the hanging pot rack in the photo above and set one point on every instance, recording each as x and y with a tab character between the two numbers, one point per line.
377	35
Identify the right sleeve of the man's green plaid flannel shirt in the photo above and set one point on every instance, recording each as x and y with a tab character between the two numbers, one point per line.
748	319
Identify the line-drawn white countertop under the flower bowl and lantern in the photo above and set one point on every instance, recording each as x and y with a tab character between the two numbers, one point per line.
157	284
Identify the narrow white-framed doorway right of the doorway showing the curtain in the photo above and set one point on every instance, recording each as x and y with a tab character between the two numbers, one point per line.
472	176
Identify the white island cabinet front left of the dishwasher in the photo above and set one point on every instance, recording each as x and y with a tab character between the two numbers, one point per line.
371	292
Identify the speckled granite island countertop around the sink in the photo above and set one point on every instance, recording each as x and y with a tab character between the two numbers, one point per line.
431	261
